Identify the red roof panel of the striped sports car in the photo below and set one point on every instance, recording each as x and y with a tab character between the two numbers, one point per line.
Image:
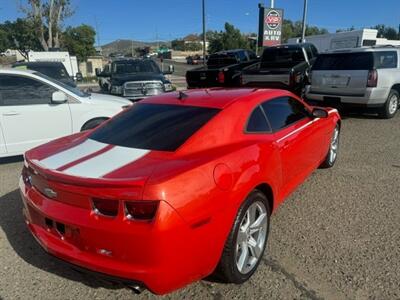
214	98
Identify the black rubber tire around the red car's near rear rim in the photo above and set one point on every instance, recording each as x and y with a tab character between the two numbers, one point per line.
227	269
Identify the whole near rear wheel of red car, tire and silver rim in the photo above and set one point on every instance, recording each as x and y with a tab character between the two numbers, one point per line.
246	243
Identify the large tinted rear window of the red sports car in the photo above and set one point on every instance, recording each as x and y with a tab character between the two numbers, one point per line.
160	127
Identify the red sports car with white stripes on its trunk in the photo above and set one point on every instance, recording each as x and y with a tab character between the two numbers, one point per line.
176	187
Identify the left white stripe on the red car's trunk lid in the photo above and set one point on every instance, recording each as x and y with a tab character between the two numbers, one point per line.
67	156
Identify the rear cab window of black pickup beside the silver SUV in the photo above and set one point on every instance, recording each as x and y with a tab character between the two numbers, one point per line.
286	57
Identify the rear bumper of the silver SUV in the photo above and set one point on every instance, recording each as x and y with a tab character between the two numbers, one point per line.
370	97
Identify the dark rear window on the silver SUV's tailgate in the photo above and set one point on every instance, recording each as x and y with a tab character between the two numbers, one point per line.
345	61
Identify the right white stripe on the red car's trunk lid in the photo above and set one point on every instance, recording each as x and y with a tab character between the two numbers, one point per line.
106	162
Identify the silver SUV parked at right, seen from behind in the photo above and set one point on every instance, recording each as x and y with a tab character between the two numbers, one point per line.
365	77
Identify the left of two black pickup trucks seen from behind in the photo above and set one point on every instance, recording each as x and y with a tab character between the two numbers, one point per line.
222	69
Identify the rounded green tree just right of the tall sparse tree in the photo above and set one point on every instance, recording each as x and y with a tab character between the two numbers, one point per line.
80	41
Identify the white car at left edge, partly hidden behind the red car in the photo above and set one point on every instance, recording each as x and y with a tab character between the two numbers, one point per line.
35	109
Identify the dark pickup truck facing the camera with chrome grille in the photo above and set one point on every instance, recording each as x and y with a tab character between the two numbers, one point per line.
137	79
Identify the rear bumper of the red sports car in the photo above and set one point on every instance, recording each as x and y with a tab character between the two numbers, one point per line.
150	254
